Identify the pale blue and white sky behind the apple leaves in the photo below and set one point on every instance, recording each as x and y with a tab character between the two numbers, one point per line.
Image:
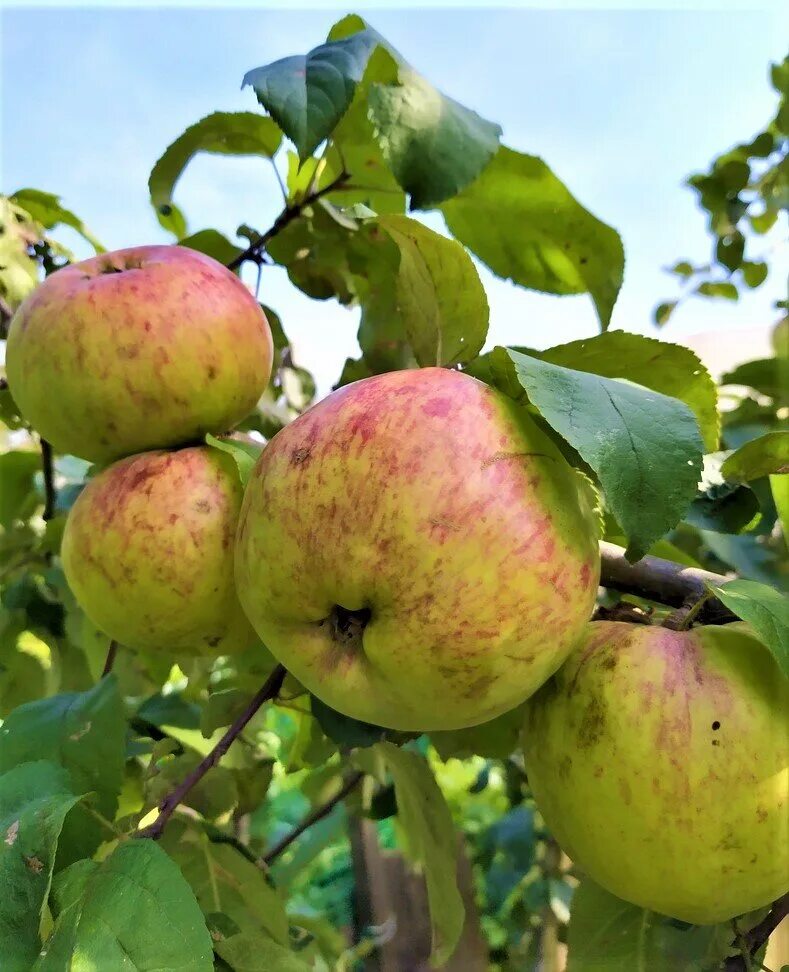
622	104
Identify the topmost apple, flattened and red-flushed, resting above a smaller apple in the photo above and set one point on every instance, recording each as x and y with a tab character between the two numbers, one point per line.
143	348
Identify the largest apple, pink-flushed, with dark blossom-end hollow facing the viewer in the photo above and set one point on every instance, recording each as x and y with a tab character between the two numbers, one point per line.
436	508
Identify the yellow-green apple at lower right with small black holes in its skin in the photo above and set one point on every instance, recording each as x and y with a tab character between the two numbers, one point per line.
658	759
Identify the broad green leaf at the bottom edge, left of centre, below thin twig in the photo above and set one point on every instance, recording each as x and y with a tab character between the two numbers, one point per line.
132	911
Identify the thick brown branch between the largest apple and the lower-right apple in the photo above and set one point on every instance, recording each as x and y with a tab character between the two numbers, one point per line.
663	581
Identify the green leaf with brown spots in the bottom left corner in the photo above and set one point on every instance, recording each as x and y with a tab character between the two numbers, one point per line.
34	801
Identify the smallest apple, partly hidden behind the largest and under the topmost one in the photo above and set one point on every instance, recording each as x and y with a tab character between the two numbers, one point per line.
148	552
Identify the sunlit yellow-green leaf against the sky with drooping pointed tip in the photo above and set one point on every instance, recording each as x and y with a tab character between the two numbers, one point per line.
522	221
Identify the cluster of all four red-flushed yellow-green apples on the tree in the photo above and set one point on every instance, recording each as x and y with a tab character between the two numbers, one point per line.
419	554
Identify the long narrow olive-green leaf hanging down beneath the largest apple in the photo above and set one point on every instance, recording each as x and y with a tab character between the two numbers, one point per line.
427	823
